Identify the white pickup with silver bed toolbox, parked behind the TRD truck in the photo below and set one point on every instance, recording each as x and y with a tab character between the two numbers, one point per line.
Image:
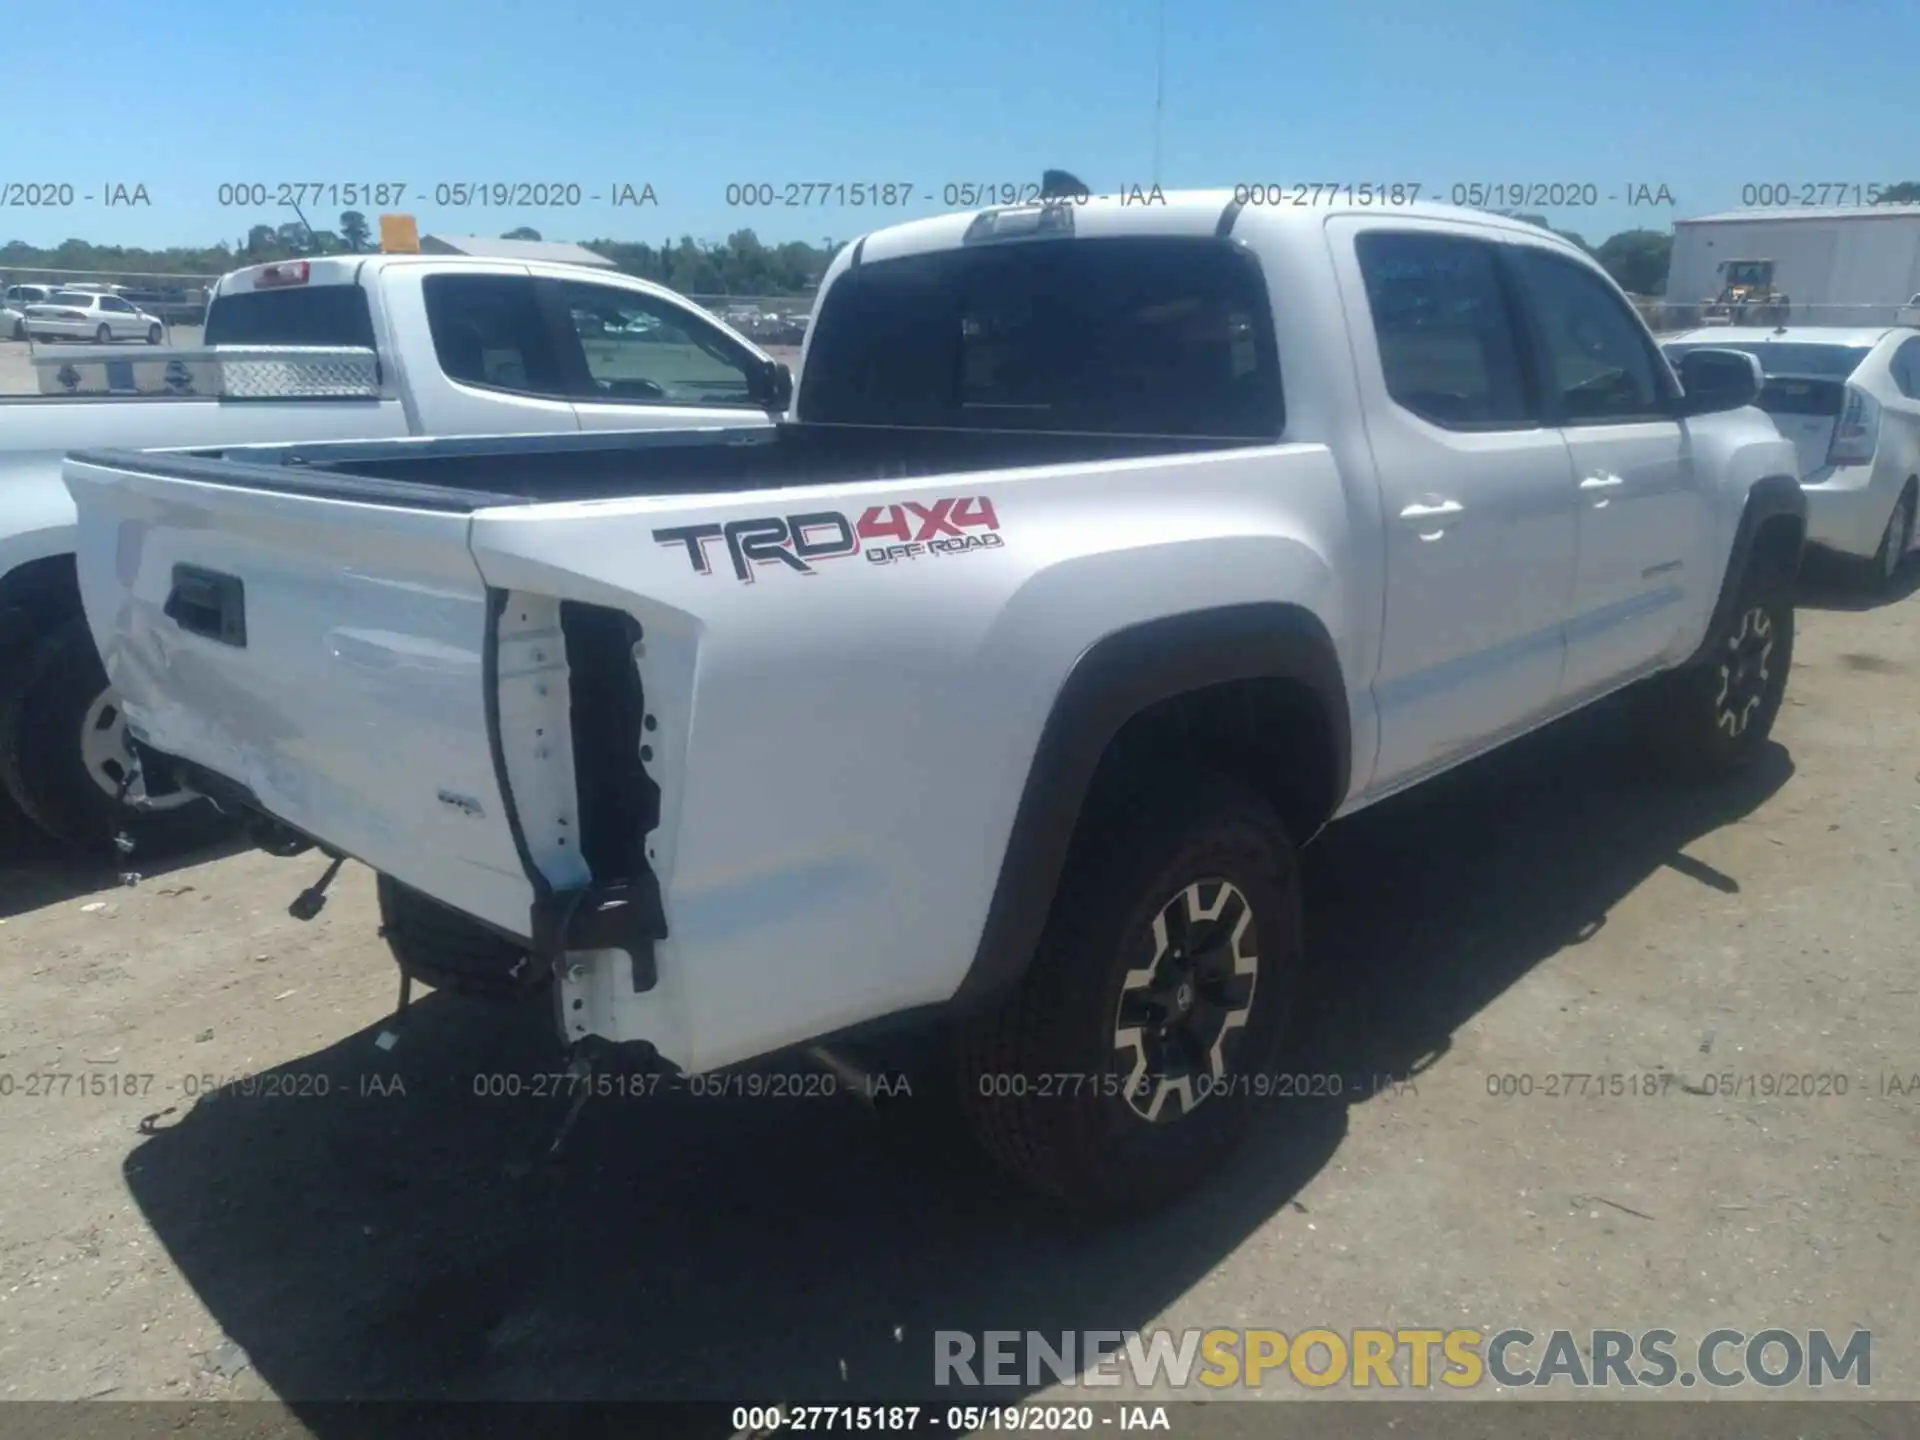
450	347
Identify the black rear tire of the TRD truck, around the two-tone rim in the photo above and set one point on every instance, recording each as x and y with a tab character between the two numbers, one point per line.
1040	1070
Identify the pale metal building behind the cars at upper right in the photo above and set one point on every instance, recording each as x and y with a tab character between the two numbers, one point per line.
1846	266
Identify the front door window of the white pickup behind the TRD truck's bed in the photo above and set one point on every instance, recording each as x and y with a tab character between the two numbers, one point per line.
640	348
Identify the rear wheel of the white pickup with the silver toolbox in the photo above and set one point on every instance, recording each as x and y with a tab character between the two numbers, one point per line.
66	761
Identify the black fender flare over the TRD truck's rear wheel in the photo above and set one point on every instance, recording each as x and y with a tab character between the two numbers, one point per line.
1115	681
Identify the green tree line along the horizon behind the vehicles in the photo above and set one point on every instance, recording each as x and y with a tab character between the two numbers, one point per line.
740	266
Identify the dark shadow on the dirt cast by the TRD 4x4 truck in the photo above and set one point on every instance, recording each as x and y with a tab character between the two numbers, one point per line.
366	1243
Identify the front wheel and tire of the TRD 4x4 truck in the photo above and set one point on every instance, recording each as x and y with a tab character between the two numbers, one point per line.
1714	719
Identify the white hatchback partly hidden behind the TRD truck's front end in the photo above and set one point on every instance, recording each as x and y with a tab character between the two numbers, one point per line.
1850	402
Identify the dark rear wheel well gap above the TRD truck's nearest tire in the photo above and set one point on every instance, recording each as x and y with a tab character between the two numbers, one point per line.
1270	734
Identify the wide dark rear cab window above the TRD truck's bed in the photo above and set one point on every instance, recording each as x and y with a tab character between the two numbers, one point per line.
1109	337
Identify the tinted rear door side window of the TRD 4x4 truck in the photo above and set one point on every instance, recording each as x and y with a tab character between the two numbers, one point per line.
1445	329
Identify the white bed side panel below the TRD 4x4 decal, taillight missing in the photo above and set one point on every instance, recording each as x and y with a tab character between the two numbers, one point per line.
842	750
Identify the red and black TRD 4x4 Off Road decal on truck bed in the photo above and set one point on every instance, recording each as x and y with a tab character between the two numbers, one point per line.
944	527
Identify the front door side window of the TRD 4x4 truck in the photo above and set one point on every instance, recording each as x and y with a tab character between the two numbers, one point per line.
1598	358
